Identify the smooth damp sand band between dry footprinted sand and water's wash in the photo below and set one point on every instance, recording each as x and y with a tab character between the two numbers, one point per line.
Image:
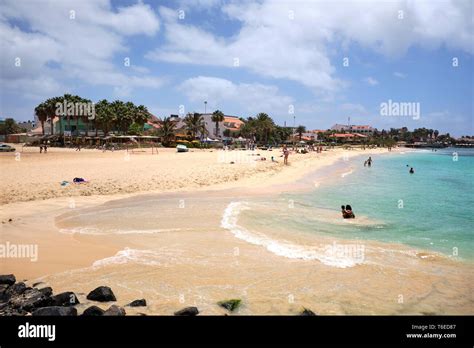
33	218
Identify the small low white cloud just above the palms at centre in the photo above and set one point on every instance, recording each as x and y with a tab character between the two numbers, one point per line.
252	97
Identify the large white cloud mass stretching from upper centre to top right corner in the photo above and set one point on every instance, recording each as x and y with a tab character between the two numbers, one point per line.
274	42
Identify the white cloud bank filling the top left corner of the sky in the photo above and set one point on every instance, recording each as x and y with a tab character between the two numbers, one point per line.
81	44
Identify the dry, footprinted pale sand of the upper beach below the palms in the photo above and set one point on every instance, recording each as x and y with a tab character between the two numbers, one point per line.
32	176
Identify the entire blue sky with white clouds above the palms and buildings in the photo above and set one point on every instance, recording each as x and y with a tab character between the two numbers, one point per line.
290	57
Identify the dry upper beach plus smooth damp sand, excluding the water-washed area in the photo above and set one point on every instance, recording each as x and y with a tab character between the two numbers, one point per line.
31	194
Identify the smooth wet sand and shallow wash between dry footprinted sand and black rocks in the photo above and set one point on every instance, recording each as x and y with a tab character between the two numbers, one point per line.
146	265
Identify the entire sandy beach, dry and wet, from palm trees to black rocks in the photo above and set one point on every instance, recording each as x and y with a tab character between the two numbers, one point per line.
174	266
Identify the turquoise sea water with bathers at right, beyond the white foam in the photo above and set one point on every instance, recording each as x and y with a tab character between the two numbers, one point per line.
432	209
